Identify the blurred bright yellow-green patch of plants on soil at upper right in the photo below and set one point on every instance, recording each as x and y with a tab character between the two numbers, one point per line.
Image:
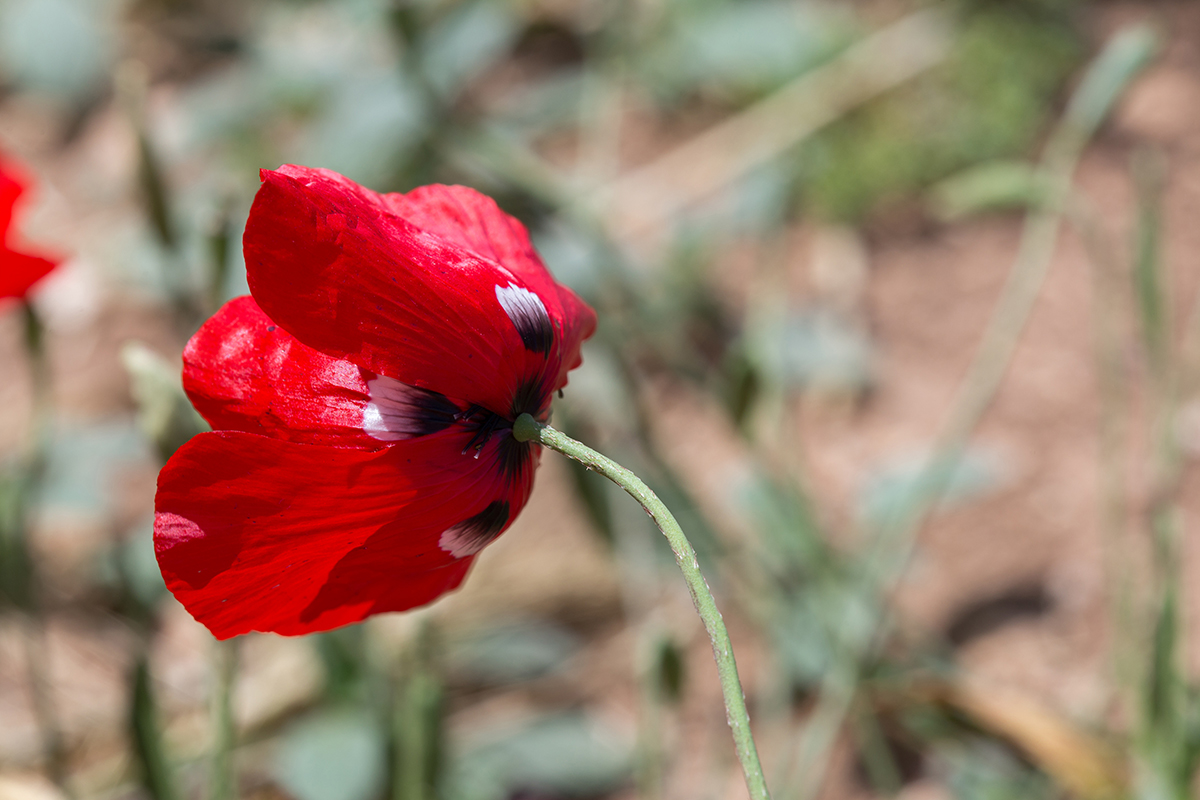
988	101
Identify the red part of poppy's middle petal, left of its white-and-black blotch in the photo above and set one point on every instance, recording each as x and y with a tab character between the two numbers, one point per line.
243	372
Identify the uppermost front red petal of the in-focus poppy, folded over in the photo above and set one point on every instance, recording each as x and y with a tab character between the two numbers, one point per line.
334	264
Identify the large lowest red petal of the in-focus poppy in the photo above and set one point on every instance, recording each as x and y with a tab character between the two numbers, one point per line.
261	534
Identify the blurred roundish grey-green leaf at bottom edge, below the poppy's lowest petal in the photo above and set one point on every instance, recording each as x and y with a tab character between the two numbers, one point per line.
332	755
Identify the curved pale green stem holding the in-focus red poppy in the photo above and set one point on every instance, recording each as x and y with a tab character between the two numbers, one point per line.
526	429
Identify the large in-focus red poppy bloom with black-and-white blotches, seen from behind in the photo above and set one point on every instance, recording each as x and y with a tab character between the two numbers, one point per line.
364	399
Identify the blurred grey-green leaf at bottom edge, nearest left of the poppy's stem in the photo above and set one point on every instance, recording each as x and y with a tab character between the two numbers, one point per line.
568	756
